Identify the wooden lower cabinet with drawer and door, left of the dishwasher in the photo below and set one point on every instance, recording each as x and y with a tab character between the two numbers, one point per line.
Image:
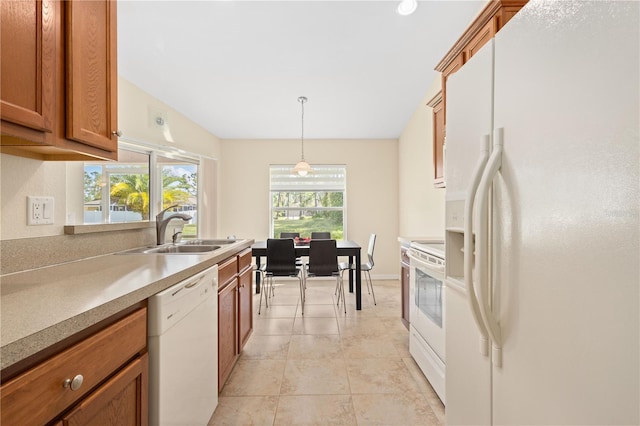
100	379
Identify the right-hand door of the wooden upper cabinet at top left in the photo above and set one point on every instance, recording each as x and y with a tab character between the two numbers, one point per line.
92	92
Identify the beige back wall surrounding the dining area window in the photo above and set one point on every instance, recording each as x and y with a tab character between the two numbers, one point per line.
372	183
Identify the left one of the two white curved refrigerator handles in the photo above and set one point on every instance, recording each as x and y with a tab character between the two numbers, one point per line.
468	245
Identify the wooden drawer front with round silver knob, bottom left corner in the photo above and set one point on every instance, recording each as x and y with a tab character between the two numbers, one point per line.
38	395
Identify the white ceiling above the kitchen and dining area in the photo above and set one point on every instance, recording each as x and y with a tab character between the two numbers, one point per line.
238	67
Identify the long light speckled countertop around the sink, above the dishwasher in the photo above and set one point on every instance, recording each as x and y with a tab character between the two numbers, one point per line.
43	306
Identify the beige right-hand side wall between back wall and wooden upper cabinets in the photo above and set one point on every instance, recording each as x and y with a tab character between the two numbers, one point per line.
421	205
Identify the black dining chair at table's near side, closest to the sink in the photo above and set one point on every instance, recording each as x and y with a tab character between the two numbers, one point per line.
281	262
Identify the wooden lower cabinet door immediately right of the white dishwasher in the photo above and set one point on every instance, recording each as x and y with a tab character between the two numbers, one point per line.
227	331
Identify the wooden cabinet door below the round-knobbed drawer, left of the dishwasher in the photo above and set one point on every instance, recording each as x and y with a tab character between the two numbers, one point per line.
121	401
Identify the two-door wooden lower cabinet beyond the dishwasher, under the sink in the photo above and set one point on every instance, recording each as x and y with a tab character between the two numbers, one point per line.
235	311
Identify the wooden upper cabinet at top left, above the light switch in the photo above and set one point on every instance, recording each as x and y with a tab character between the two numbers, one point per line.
59	79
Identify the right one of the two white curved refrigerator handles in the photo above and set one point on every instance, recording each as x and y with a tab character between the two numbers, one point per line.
490	171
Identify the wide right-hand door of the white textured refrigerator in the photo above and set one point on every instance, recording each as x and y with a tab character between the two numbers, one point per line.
566	214
